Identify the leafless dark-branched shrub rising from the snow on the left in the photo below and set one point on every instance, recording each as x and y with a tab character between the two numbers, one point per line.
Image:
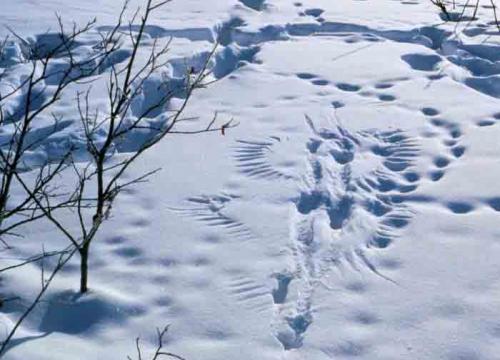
93	163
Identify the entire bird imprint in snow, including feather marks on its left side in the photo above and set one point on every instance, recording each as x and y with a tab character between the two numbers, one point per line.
354	198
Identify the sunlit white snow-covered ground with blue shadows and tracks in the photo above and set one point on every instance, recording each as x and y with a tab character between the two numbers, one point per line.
353	213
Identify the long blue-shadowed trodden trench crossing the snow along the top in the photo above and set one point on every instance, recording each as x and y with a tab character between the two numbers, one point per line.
480	60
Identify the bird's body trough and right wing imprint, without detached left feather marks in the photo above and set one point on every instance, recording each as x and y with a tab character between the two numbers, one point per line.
344	208
